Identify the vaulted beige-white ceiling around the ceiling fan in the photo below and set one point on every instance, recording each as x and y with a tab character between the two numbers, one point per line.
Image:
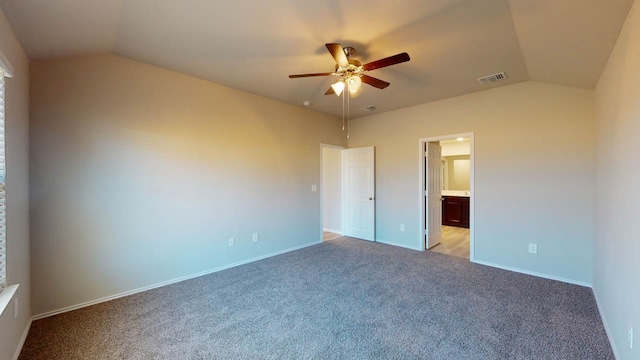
252	45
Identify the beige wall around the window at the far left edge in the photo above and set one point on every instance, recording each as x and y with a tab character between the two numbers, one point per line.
17	152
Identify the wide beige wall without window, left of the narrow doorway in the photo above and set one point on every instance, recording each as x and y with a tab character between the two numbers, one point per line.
141	175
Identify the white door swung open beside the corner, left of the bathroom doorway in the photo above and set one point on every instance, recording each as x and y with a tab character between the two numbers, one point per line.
359	193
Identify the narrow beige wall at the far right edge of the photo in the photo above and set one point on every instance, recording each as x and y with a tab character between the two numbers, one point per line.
617	227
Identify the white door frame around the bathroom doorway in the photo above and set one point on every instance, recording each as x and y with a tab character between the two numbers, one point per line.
421	180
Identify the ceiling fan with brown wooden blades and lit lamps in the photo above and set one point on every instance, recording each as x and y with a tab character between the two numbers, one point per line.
351	71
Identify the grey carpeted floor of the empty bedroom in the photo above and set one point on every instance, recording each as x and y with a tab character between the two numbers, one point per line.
342	299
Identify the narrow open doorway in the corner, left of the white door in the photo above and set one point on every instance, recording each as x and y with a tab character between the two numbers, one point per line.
331	191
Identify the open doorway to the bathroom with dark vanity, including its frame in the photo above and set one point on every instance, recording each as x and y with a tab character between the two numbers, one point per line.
447	194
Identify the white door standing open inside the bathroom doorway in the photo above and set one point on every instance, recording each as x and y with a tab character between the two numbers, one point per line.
433	194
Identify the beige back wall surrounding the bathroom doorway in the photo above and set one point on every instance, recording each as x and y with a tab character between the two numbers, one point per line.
545	133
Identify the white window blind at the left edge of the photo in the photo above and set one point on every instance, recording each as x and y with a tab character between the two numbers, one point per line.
3	206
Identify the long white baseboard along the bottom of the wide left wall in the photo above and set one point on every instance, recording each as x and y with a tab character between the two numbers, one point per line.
168	282
